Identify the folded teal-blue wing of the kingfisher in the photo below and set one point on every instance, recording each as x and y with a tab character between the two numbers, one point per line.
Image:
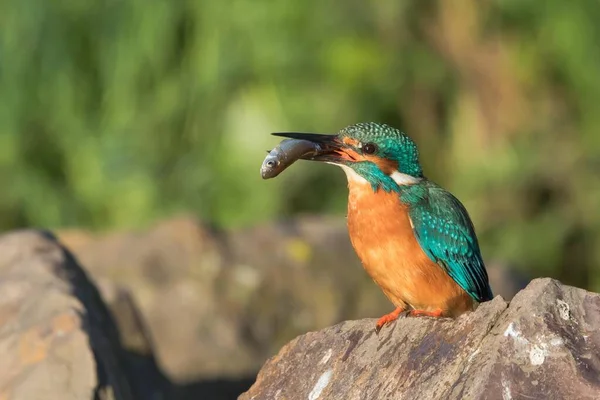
445	233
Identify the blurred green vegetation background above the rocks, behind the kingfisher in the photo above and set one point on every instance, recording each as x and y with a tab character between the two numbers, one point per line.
117	113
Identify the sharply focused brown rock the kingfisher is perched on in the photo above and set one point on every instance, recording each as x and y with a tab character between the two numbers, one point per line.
544	345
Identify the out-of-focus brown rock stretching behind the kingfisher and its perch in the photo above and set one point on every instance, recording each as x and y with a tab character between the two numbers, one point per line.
212	296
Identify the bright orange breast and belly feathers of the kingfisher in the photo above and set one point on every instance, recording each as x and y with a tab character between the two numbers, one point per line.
382	236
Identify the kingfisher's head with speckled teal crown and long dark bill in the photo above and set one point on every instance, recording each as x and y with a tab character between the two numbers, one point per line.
377	153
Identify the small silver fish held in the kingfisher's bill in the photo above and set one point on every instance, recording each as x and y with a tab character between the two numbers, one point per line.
285	154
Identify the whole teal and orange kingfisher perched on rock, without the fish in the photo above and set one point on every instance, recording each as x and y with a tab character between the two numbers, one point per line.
415	239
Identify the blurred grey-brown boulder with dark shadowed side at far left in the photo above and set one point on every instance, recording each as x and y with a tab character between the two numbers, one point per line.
57	339
